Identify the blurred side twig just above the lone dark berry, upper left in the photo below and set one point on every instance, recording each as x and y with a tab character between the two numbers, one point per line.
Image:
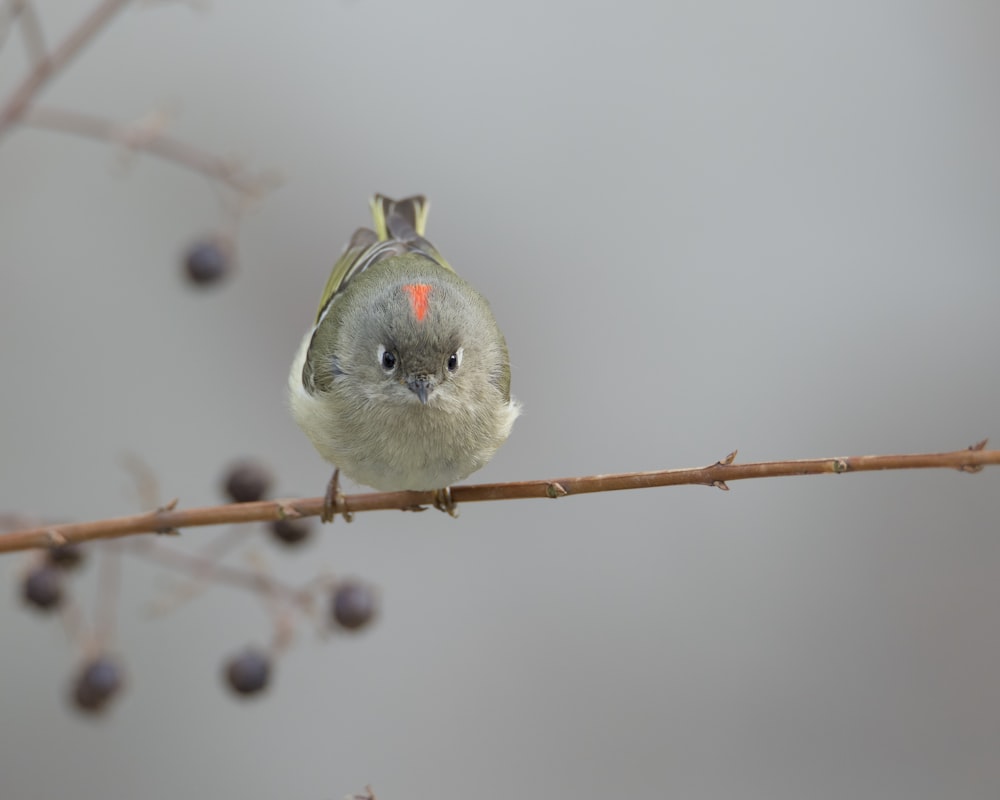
150	139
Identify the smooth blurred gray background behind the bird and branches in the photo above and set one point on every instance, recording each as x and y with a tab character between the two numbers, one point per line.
771	226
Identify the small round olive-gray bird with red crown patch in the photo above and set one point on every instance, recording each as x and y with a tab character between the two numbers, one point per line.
403	382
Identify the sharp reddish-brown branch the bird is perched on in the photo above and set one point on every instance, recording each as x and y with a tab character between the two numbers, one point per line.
719	474
